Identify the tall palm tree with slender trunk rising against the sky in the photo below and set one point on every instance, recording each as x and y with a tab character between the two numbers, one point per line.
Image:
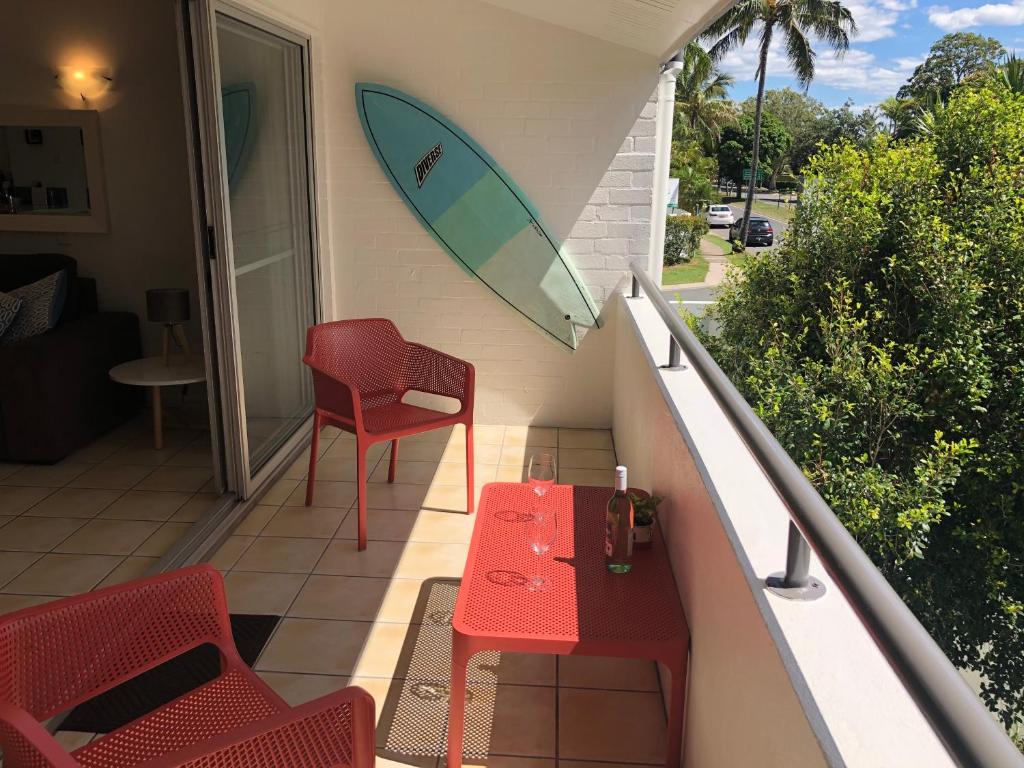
795	22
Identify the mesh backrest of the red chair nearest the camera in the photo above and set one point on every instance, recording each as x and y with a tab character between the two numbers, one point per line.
53	659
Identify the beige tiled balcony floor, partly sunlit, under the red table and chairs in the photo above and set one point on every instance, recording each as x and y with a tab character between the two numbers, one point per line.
353	617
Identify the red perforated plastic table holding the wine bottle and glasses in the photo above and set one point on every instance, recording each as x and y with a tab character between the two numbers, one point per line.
586	611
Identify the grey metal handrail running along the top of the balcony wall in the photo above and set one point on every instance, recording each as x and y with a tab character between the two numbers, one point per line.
967	730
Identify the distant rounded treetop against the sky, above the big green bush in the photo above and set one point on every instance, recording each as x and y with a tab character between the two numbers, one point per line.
952	61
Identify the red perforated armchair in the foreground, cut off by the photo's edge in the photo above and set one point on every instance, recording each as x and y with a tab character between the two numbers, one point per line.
57	656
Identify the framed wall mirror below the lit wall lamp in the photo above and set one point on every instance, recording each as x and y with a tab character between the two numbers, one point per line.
52	176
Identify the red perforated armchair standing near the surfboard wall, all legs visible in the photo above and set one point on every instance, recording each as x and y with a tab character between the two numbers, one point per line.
362	370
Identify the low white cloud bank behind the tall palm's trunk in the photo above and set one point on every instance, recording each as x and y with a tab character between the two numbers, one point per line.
859	70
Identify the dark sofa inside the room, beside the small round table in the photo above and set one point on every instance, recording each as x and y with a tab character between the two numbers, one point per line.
56	393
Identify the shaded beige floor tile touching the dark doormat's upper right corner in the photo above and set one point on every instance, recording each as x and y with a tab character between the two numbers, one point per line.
315	647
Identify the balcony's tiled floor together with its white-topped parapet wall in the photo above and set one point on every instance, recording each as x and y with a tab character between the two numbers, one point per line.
772	681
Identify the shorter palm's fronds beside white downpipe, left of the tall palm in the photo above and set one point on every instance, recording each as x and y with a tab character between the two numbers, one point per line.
703	107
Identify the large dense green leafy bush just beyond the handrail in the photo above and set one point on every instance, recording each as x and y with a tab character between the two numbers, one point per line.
883	344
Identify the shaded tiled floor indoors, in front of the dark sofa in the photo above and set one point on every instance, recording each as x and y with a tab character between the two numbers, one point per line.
103	516
